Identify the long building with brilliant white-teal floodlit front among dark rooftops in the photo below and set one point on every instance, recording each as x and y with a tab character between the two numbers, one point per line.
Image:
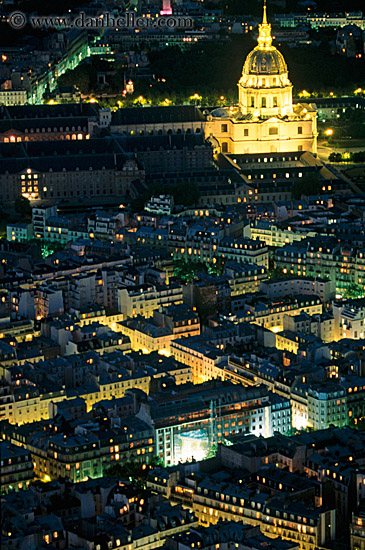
190	424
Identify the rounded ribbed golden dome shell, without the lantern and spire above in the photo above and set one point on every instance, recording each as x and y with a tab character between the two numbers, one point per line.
265	62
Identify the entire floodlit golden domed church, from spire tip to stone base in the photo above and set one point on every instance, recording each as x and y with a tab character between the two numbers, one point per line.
265	119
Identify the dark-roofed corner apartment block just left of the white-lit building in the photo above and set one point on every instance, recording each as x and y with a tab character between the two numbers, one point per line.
86	451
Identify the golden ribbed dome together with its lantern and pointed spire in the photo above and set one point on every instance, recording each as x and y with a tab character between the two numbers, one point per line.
265	59
